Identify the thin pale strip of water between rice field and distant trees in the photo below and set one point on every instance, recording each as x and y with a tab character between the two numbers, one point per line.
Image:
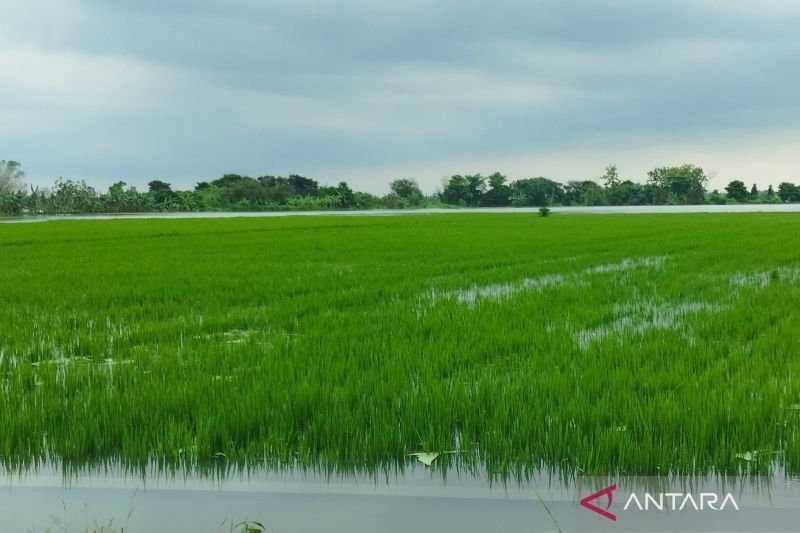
589	210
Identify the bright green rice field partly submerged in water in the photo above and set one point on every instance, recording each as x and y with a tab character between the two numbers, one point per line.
636	344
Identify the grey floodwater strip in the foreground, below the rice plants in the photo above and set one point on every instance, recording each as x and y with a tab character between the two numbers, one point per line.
420	501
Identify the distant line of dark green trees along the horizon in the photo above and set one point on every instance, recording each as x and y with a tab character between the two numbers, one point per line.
682	185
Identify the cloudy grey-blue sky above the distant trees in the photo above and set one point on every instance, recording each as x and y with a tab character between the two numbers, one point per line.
369	91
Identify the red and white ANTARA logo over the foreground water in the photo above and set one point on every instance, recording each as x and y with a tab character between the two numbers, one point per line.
672	501
